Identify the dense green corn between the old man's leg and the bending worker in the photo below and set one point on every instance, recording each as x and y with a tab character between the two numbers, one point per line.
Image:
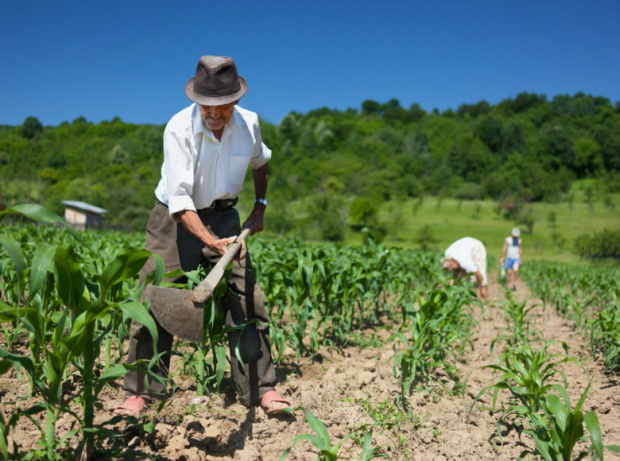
324	294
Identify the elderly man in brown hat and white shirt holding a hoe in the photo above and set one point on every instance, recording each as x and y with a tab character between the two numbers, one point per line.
208	148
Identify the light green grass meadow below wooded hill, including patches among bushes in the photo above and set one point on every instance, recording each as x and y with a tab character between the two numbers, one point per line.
450	219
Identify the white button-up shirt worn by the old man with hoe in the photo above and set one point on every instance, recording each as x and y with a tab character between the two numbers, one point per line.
198	168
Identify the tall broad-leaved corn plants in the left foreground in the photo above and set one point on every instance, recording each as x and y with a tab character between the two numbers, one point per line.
65	304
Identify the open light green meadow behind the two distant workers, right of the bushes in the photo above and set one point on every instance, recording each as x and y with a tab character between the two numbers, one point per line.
450	219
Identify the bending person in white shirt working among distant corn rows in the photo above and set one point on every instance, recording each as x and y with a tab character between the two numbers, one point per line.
467	256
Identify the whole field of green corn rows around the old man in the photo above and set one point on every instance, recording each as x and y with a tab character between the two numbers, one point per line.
67	300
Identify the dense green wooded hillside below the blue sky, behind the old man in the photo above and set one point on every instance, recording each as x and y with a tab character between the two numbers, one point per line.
526	148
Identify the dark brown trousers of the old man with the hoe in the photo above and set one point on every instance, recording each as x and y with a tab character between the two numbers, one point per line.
243	303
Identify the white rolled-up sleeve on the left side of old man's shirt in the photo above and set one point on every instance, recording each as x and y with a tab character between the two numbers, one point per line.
179	173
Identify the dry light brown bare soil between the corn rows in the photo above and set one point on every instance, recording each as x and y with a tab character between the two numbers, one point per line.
345	389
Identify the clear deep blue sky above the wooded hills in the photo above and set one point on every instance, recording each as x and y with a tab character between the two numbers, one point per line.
101	59
